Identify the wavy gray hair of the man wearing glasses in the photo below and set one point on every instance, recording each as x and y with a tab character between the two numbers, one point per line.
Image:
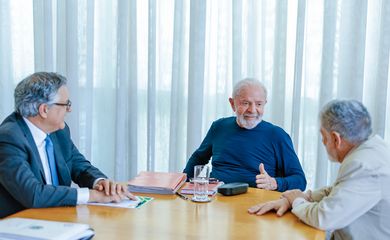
37	89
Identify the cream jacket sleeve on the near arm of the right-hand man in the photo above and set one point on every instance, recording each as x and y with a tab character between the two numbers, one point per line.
353	194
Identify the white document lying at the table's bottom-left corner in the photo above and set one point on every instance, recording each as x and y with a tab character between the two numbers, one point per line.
26	228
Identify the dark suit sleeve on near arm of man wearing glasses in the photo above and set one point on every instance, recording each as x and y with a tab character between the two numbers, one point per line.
19	177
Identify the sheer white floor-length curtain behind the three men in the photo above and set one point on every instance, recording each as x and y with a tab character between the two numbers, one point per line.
147	78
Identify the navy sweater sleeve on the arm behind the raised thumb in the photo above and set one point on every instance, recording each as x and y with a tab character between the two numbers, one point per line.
291	175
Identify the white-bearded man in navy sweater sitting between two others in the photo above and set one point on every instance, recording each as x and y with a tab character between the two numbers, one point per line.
246	148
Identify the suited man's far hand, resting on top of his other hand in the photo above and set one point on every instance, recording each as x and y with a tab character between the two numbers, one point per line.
110	188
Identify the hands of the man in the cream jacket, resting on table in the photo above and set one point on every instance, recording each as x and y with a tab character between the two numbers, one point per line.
281	205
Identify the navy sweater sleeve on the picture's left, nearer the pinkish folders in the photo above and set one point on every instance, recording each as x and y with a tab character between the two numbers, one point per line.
202	155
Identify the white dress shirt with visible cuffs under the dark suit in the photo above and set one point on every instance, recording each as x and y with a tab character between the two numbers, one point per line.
39	138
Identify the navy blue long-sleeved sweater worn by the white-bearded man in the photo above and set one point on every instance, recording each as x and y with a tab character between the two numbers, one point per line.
237	153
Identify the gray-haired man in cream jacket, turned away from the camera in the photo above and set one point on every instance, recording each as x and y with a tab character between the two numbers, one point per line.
357	206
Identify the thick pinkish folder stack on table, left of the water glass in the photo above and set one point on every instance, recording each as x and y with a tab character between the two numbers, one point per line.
157	182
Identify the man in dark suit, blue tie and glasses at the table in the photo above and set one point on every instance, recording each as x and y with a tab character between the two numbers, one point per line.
38	159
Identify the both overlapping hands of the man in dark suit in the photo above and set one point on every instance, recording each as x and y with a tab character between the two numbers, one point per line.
106	191
